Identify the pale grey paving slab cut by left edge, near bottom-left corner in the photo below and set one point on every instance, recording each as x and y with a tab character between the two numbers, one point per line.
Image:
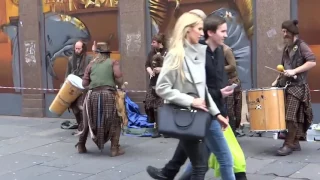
14	162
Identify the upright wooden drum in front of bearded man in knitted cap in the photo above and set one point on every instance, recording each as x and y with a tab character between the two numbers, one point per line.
266	109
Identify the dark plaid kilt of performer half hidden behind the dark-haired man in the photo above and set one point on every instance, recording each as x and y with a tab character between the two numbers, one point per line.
234	106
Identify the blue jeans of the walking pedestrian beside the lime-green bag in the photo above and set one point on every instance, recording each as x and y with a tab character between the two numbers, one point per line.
217	144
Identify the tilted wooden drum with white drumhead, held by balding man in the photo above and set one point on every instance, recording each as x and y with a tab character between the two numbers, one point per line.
69	92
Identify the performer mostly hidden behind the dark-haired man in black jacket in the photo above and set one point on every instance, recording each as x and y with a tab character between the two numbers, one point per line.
234	101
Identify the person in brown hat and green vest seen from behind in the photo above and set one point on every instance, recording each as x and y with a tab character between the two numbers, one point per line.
102	120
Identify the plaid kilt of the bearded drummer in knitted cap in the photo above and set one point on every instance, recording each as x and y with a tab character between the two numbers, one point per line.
298	106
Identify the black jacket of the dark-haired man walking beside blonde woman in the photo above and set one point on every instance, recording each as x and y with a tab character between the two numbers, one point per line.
216	75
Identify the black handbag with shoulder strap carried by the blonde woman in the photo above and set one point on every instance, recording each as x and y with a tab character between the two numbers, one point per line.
184	123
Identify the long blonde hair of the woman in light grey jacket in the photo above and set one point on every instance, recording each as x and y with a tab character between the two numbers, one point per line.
178	39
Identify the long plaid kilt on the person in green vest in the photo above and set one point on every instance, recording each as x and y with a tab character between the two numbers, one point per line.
110	121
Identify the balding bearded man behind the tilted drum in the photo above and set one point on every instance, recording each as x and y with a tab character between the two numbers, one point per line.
77	64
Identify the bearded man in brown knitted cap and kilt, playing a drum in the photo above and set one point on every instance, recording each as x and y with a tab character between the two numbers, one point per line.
297	59
